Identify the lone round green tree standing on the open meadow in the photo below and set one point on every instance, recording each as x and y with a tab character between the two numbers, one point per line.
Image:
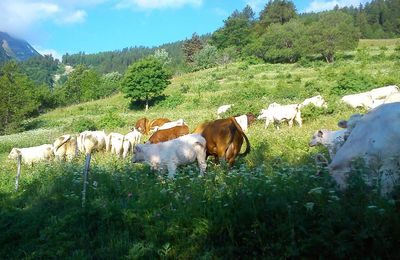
145	80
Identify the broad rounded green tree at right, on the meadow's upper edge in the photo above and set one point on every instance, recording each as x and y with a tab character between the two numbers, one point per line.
334	31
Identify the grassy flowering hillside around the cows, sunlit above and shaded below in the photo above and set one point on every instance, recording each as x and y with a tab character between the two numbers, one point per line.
270	204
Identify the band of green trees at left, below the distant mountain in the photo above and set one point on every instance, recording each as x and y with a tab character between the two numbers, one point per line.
23	96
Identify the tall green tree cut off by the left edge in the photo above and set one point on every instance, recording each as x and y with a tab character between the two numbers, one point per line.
17	98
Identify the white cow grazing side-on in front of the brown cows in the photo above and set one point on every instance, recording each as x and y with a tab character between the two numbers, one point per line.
169	155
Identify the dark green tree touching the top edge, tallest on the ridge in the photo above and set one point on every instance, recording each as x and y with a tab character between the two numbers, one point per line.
277	11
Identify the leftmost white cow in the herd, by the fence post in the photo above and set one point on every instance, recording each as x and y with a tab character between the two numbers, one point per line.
33	154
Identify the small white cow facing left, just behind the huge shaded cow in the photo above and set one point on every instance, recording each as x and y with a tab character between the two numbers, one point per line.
332	140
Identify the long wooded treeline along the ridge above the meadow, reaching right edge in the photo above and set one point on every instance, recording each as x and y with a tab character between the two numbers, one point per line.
278	34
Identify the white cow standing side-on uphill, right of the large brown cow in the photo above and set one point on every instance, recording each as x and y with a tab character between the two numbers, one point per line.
277	113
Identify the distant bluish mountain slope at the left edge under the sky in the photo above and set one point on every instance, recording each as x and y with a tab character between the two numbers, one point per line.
12	48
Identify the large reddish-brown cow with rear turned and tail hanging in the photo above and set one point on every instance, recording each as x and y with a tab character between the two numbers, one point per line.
224	139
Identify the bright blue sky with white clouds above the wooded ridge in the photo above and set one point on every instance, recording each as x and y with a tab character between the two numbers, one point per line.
61	26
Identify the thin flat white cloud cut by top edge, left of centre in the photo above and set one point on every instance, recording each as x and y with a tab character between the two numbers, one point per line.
157	4
